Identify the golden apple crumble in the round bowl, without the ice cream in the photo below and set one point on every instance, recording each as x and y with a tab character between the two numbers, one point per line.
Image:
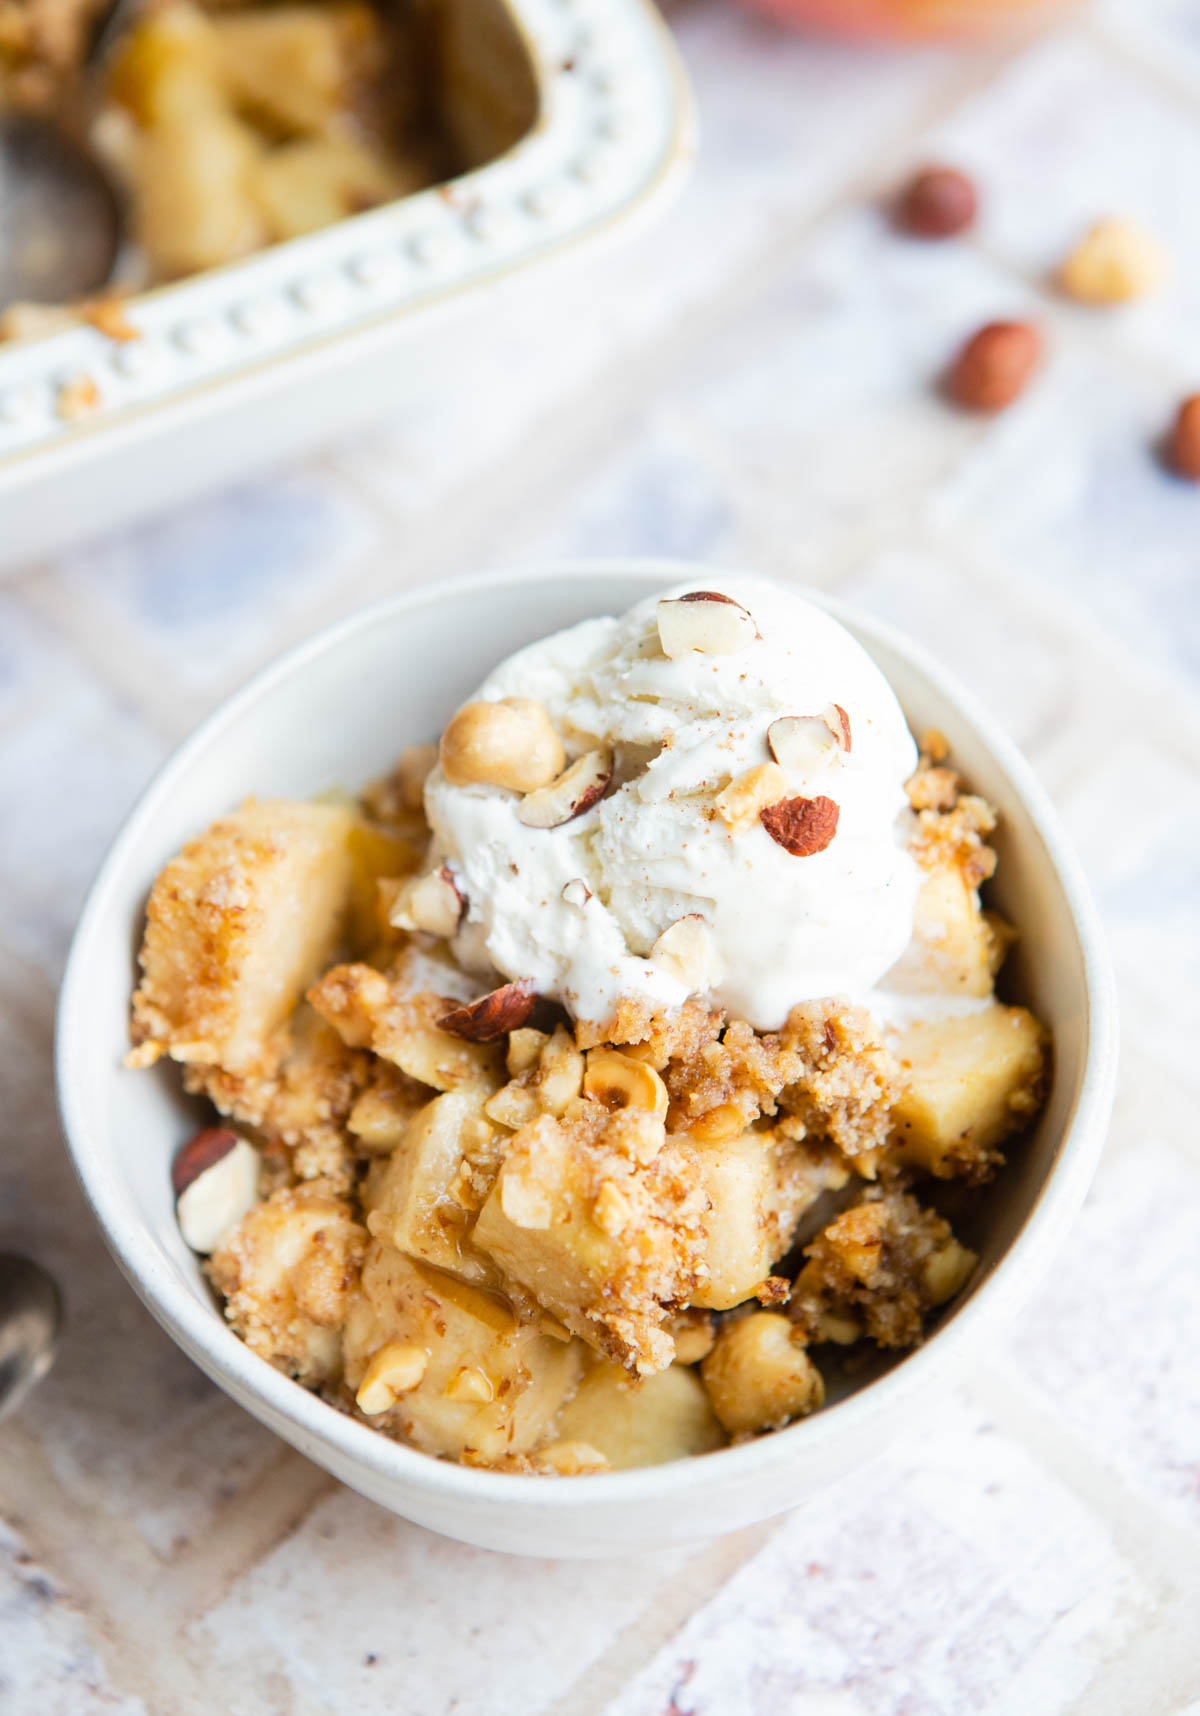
581	1245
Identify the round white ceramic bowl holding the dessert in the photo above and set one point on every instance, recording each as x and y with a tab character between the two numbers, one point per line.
337	711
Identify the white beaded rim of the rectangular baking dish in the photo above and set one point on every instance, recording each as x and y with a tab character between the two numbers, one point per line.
614	124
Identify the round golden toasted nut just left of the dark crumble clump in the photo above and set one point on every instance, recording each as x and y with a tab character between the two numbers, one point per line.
760	1377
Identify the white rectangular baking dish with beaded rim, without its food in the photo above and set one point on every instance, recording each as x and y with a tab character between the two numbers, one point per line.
253	363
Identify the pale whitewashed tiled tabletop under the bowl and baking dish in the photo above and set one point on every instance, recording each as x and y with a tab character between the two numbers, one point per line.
748	384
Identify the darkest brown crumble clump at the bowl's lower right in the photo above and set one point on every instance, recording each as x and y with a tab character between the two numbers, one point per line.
878	1271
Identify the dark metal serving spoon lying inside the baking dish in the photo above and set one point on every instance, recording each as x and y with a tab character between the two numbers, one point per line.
61	219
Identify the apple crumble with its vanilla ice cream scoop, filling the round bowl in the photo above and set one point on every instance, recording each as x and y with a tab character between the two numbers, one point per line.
567	1218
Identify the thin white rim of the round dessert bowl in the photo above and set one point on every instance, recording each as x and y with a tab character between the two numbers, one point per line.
312	1423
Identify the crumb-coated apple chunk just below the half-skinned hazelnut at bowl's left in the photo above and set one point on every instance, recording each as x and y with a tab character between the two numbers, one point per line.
289	1274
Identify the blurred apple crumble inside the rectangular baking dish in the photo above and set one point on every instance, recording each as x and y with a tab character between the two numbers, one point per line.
229	124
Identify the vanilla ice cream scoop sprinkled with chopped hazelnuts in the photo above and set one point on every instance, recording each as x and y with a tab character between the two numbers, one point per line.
736	825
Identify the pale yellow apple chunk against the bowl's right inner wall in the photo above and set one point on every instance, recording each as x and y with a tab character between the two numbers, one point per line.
967	1085
